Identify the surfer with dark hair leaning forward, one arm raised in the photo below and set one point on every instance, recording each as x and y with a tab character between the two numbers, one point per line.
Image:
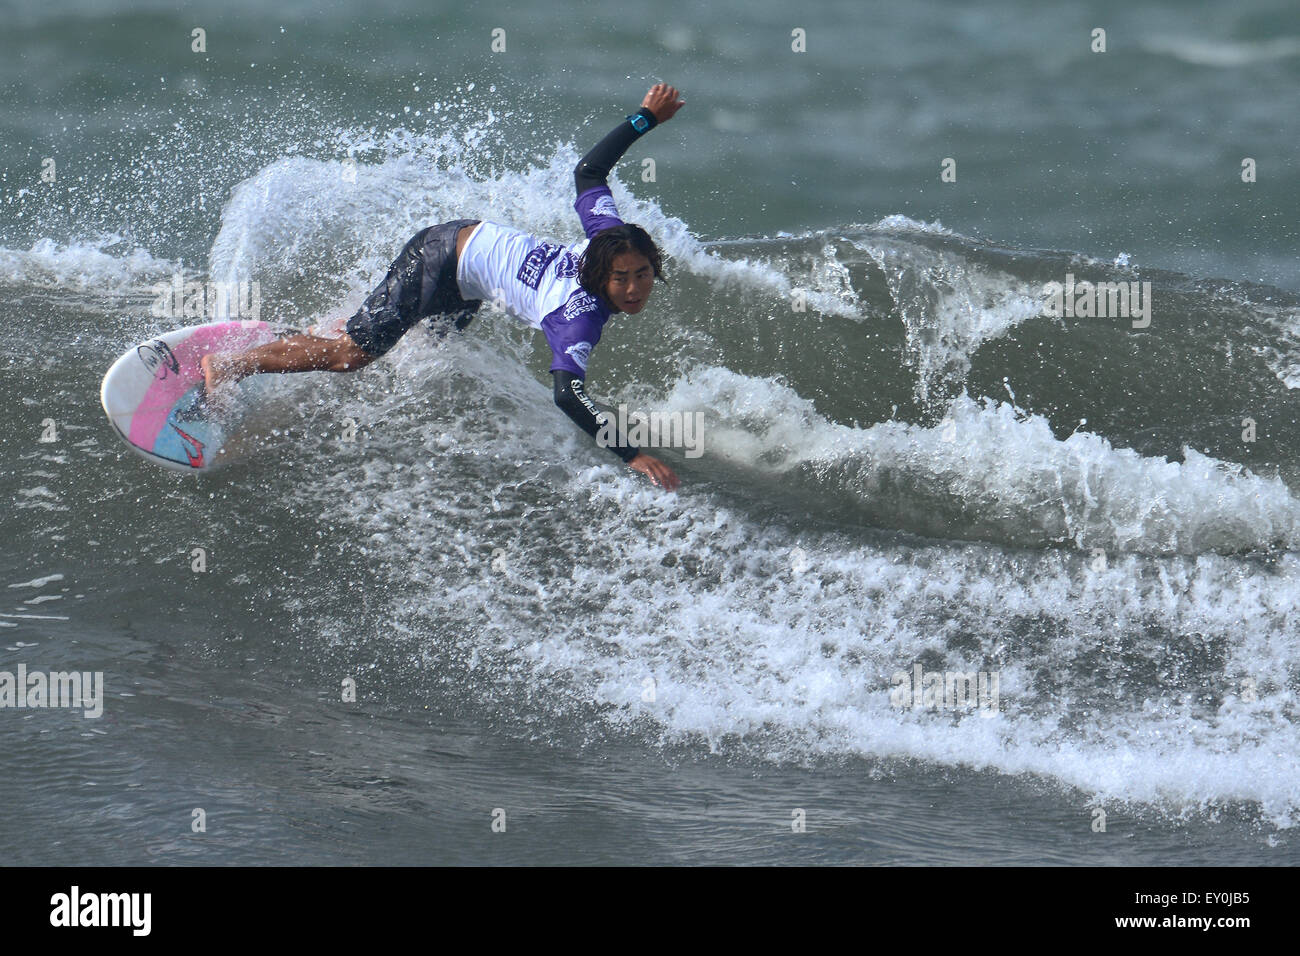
447	271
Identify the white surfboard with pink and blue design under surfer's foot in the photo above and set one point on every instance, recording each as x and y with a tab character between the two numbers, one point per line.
155	400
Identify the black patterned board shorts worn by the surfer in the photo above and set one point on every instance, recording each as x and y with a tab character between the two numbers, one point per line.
422	283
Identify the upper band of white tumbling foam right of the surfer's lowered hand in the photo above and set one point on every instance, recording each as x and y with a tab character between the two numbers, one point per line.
991	473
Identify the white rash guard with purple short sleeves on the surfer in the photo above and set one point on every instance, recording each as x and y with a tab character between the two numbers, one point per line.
536	280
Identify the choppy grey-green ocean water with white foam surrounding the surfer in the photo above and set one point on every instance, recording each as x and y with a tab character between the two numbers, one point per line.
905	464
